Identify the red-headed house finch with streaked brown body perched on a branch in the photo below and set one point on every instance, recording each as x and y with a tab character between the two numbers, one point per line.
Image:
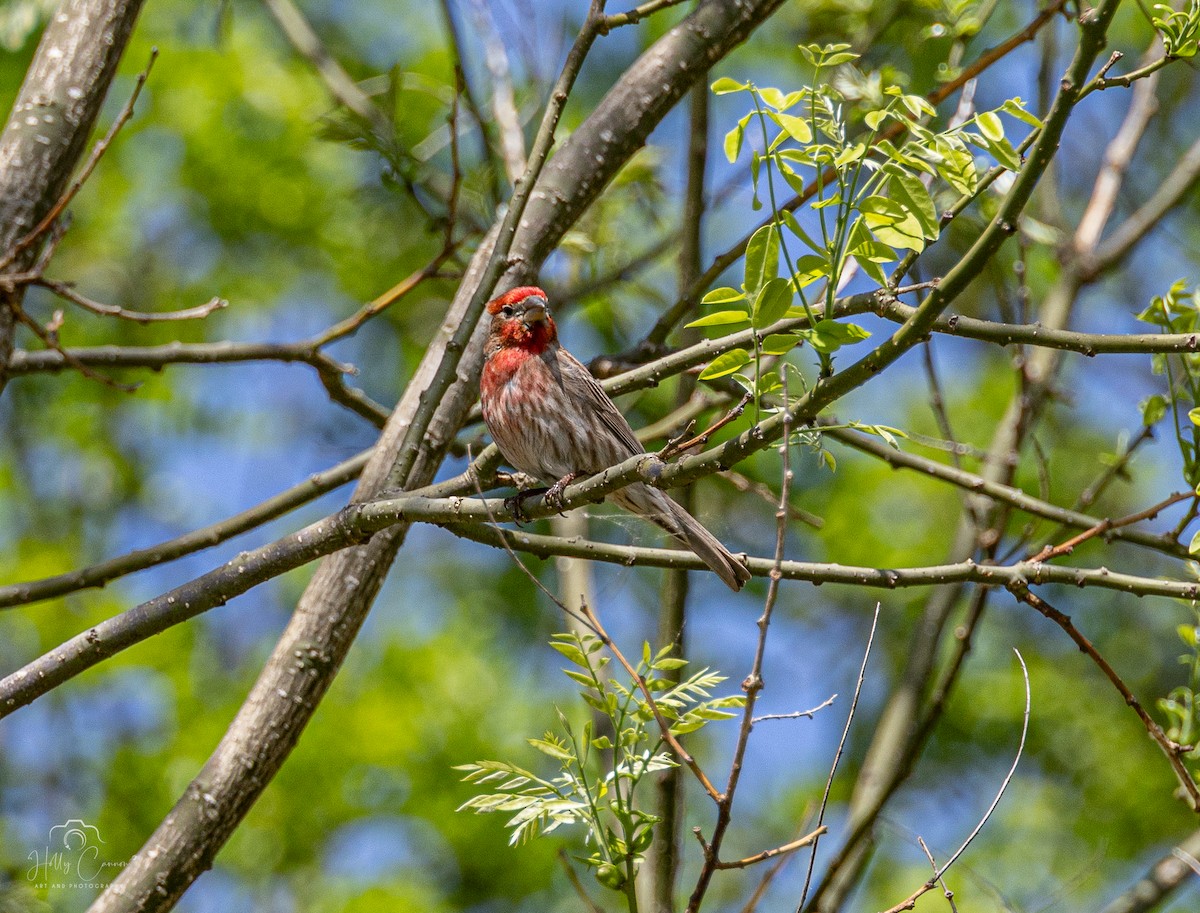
554	422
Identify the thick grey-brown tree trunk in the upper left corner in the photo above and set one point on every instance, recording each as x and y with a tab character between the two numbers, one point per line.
51	122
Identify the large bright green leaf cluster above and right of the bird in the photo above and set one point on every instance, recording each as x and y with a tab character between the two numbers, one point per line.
872	200
